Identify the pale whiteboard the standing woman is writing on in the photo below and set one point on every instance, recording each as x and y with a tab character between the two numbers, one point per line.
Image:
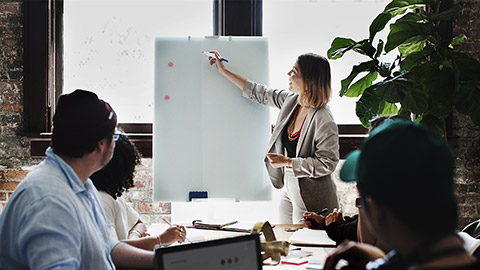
207	136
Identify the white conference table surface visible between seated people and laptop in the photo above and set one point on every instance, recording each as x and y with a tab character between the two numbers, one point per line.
318	254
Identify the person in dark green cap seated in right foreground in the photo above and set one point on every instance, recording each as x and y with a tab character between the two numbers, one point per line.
404	177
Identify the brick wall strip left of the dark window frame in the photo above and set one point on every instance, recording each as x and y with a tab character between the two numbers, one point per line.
14	149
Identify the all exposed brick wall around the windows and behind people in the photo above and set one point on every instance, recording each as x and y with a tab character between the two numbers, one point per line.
15	160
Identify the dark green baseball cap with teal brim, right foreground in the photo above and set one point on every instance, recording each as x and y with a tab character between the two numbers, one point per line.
400	161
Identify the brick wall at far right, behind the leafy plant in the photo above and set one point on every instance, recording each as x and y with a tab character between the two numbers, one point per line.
466	137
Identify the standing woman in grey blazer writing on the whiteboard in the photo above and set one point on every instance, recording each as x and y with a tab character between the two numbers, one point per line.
303	150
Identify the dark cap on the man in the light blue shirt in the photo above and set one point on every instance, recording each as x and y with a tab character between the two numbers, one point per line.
81	120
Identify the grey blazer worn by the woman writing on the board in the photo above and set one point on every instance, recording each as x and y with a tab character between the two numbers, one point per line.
317	148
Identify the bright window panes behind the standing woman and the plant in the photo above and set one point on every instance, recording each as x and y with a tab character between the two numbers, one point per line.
294	27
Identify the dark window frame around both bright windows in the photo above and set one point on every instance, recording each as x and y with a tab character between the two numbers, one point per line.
43	70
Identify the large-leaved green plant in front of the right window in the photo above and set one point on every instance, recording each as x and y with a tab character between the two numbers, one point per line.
427	79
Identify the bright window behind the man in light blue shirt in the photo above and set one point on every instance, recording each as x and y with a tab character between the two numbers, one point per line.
109	47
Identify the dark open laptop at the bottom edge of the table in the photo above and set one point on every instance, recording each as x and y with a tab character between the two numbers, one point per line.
236	253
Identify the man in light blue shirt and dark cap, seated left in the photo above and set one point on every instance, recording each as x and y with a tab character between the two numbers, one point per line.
55	219
